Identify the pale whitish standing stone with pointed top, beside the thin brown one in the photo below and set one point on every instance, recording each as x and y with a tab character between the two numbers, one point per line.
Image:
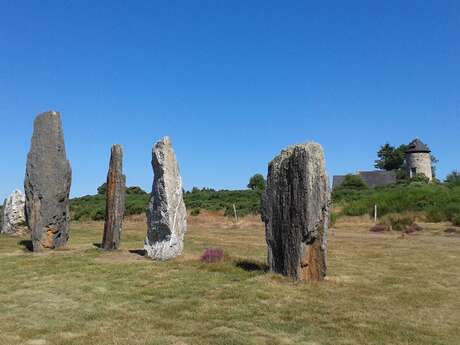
166	216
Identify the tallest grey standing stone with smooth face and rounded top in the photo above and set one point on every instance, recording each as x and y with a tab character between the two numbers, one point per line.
47	184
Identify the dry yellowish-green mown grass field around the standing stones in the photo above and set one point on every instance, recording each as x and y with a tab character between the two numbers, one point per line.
381	289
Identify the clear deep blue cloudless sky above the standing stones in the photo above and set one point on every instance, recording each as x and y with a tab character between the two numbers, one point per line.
232	83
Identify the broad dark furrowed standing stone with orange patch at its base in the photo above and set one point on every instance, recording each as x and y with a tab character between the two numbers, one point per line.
295	209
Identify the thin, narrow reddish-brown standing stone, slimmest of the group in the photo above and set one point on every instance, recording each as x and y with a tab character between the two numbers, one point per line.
115	200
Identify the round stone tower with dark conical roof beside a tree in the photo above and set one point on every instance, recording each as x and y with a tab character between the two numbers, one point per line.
418	159
